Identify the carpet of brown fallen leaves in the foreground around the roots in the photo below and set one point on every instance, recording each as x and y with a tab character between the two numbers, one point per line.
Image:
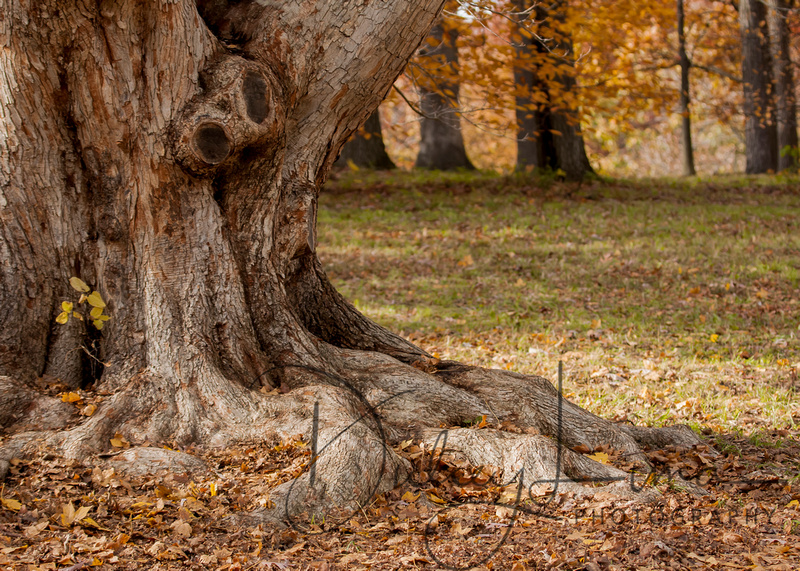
59	514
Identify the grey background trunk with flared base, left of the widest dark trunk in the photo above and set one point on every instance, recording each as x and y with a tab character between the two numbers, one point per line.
442	142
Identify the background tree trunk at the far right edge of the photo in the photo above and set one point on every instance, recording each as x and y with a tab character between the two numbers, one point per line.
785	102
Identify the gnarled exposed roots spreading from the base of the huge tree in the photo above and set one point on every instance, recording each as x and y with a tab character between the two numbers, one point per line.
358	417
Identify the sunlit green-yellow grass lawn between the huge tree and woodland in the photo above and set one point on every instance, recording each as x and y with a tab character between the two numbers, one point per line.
668	300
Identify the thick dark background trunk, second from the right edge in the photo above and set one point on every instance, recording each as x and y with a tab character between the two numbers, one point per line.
761	144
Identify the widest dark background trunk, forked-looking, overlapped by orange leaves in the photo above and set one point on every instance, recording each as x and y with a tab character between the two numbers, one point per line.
557	141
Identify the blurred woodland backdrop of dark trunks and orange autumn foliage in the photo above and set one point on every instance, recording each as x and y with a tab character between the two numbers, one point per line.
617	87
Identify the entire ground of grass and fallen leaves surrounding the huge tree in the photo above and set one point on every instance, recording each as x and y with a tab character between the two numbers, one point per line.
668	301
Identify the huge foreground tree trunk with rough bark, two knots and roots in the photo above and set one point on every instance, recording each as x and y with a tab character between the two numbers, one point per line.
170	154
